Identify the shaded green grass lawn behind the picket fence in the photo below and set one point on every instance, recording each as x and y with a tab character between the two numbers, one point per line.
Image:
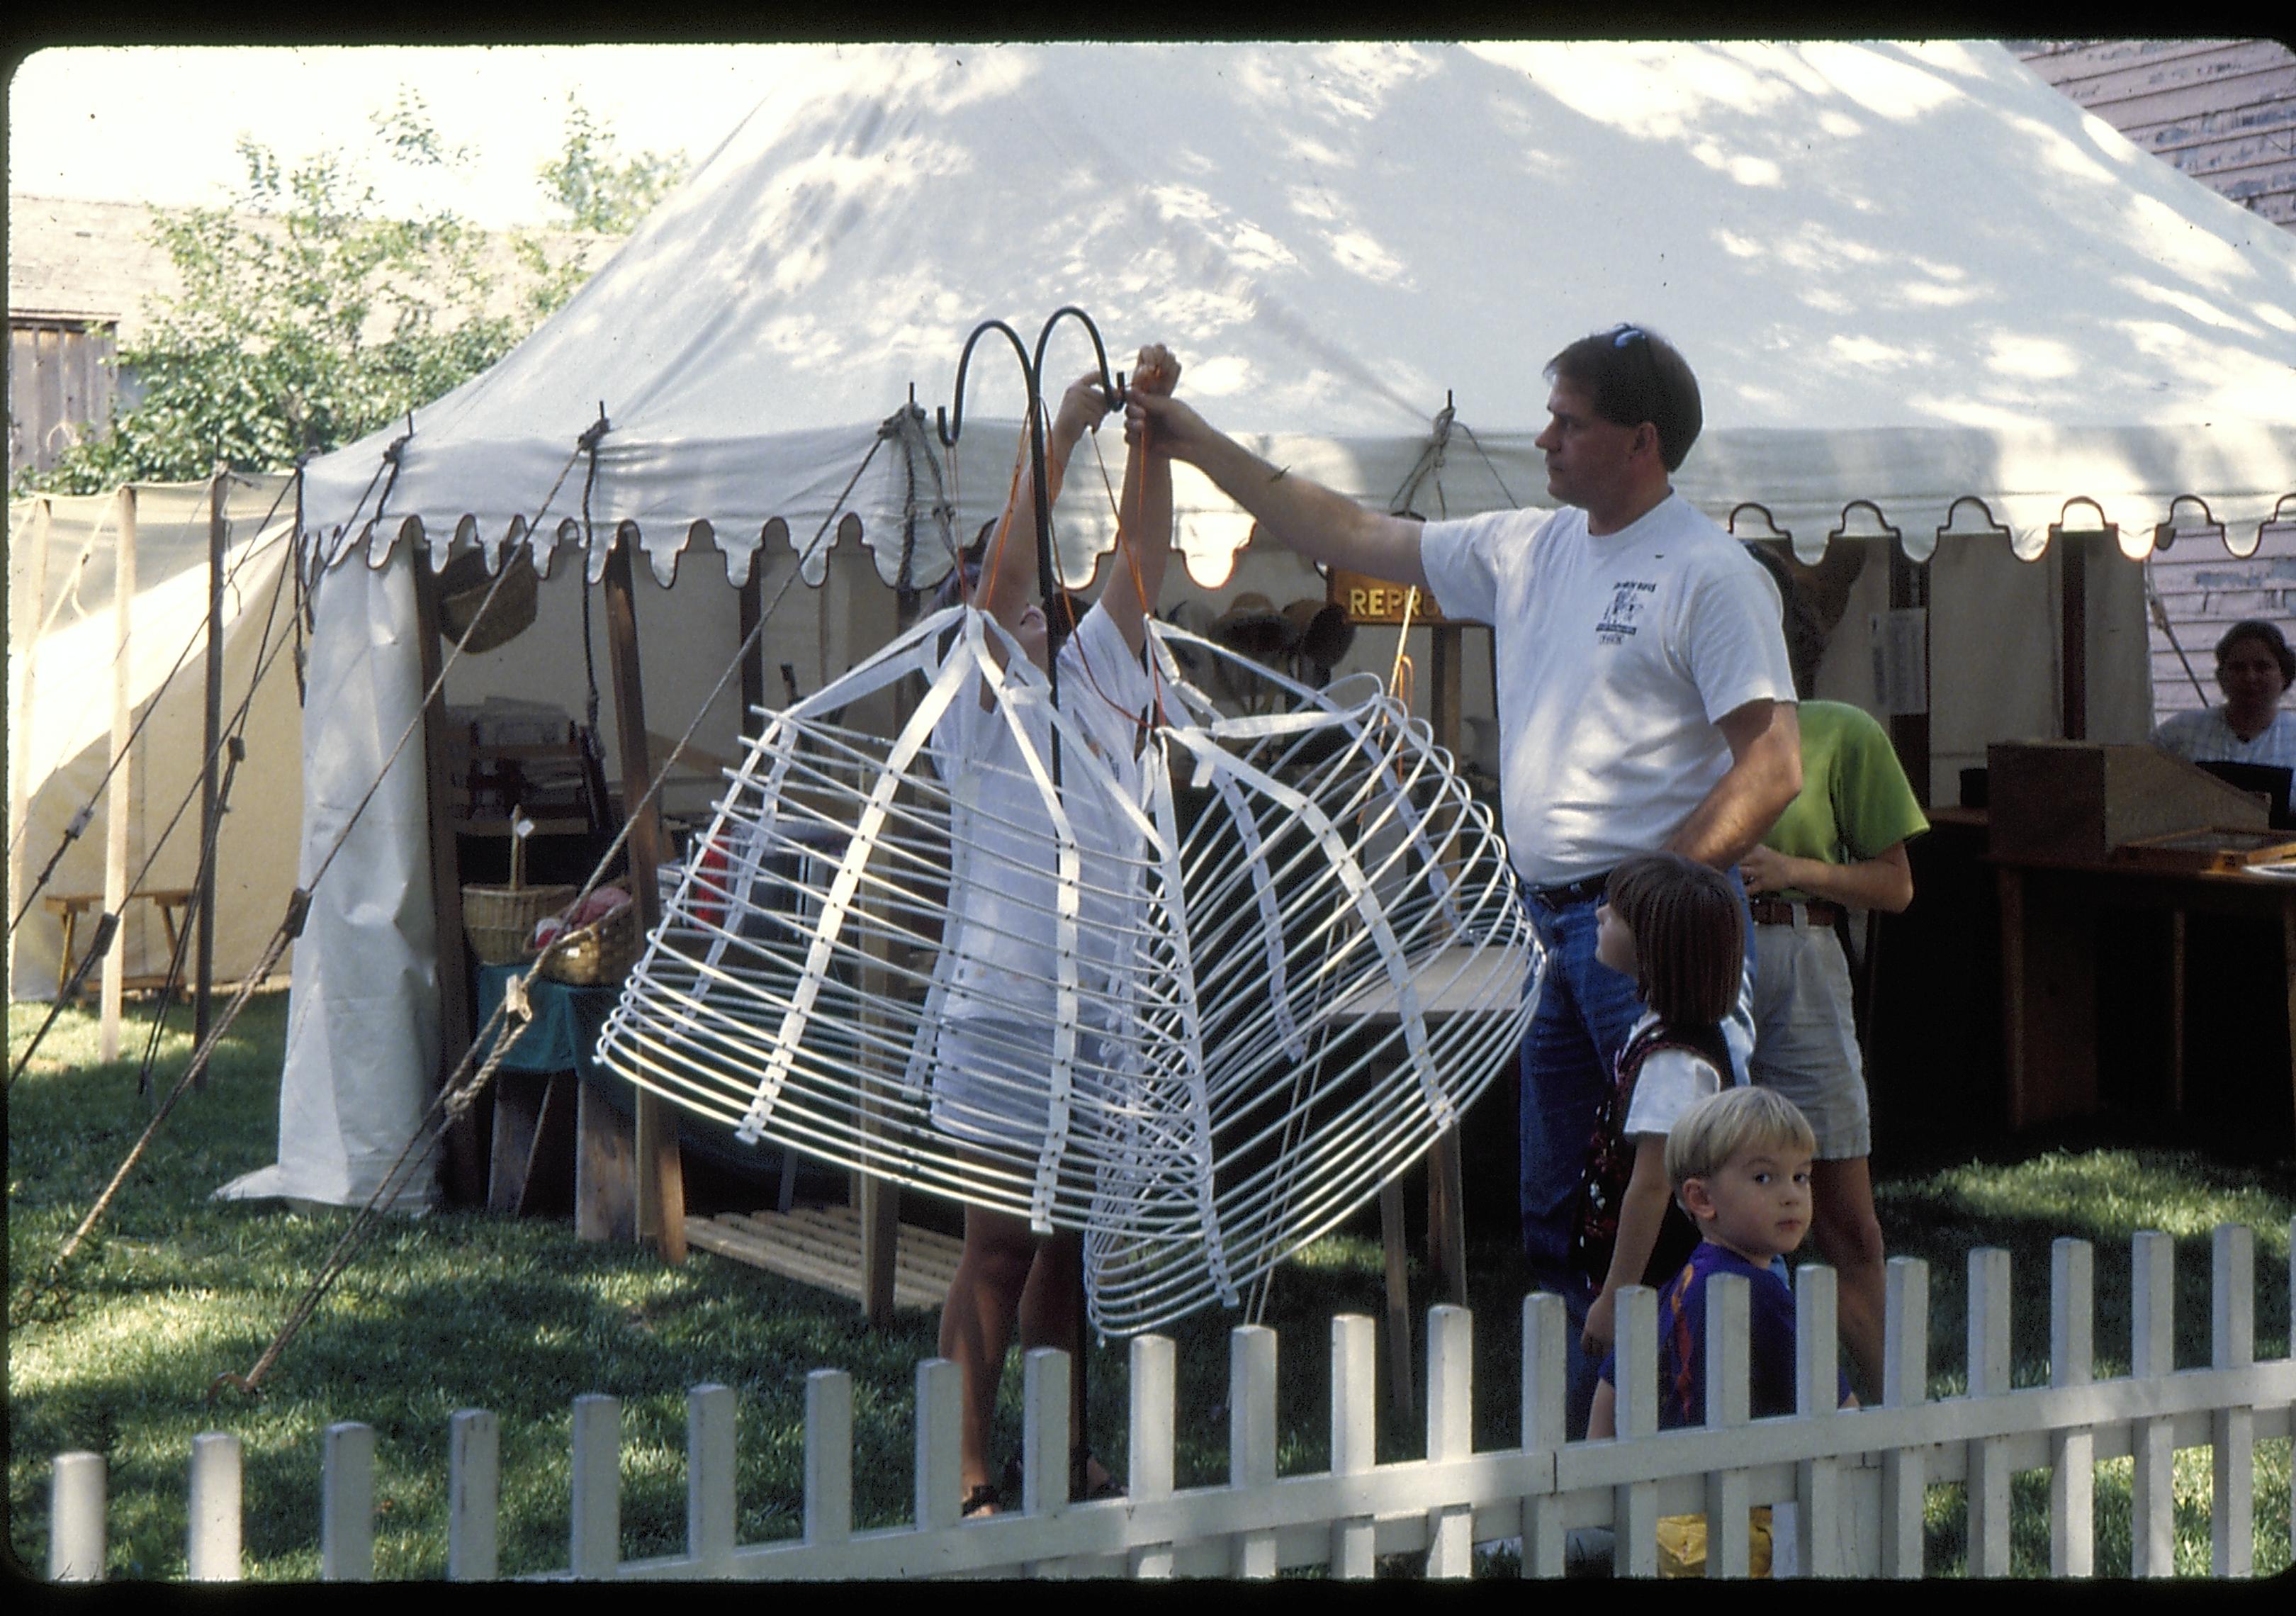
518	1316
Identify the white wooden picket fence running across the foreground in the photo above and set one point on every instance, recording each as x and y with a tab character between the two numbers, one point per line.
1854	1477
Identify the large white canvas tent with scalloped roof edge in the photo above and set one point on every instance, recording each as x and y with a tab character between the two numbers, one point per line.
1905	274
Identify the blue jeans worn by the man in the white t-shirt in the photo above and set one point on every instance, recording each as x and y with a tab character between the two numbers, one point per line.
1567	1066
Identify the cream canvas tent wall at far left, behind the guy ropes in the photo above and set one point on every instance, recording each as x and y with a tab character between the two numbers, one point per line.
63	651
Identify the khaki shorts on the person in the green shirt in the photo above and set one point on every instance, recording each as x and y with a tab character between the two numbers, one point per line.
1806	1043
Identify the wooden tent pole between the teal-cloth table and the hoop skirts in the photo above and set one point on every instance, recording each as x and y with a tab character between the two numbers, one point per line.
662	1188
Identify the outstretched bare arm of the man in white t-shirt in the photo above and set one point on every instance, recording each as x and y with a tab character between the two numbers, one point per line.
1291	511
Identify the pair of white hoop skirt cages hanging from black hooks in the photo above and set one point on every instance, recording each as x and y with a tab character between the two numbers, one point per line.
1227	1046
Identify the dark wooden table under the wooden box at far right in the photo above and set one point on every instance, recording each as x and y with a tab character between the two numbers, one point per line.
2051	915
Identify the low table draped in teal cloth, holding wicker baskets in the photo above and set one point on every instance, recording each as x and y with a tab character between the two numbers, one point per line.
554	1101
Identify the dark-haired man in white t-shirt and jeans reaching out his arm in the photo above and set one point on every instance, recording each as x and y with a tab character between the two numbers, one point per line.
1645	701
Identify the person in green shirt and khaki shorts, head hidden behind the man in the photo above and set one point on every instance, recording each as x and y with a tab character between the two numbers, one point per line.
1840	846
